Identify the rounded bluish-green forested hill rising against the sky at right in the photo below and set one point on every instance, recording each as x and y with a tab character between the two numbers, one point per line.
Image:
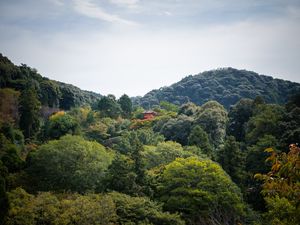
227	86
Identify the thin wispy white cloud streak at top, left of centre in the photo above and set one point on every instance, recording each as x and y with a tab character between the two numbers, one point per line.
89	9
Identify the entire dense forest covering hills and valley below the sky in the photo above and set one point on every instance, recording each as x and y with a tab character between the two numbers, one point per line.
214	157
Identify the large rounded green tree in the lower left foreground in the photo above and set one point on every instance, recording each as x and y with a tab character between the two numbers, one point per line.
70	163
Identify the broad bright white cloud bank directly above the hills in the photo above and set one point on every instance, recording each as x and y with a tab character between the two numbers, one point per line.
136	62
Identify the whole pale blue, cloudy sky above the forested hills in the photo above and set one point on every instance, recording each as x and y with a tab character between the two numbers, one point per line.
134	46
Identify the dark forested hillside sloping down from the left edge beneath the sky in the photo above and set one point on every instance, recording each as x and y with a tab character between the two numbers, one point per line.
51	93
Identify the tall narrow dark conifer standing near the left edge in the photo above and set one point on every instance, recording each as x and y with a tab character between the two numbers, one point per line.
29	112
